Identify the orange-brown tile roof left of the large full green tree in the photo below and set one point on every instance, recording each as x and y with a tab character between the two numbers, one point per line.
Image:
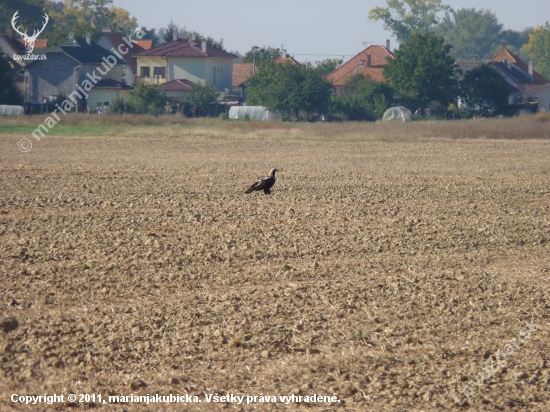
378	56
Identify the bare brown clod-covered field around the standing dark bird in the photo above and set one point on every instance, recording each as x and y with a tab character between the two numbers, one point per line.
386	273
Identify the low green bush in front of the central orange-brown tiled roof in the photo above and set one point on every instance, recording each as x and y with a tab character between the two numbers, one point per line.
362	98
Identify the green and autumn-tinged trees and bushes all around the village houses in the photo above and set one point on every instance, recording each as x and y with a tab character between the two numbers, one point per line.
424	73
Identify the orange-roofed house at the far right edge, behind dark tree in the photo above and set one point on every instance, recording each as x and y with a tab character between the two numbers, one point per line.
531	90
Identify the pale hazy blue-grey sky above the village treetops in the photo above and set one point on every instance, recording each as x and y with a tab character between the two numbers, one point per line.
310	30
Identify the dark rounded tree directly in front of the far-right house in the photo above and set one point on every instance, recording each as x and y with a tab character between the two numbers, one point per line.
485	91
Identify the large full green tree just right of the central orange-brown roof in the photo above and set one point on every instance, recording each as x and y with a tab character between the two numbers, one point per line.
423	72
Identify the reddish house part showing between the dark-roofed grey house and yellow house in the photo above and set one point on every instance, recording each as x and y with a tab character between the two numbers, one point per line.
110	40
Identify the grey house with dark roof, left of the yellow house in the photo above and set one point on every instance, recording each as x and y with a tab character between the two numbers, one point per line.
72	70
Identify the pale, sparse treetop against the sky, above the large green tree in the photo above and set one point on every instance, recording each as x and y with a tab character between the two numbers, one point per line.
403	17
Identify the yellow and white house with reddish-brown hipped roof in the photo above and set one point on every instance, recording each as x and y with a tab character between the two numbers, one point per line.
186	59
